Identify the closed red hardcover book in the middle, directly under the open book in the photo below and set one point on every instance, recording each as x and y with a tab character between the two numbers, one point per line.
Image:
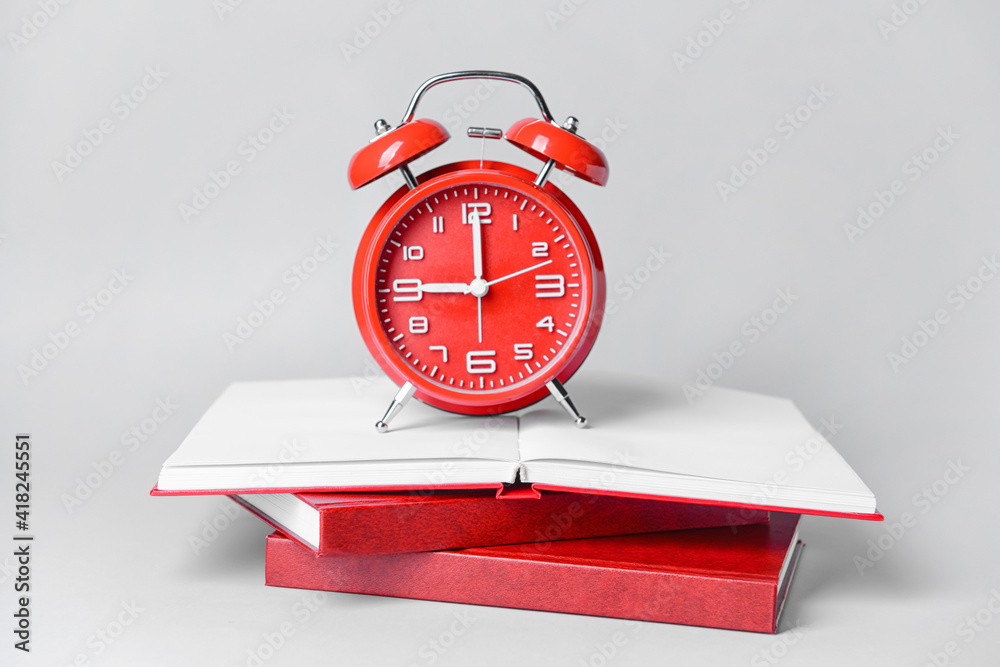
385	523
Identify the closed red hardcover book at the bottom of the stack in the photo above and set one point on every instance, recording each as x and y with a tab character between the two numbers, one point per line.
734	578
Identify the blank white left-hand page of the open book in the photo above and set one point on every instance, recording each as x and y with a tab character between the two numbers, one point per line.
327	420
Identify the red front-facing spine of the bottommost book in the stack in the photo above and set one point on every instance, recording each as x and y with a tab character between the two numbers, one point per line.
450	576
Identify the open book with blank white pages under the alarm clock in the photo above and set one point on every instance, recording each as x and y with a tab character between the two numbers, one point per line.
645	440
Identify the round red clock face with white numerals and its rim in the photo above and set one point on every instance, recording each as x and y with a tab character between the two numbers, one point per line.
481	288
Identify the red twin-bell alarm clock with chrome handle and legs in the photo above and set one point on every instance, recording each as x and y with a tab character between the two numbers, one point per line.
478	286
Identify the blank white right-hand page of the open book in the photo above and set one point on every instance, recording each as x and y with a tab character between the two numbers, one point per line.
642	423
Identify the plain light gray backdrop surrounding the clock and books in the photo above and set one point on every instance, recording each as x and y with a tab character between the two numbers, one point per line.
671	136
